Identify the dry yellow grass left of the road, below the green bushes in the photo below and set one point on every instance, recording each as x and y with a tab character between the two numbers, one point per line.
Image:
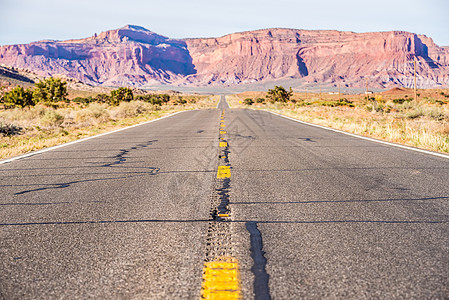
22	131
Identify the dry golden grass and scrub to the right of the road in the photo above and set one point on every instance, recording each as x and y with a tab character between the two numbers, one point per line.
392	115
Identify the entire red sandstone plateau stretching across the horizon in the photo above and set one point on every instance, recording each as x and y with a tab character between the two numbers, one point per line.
135	56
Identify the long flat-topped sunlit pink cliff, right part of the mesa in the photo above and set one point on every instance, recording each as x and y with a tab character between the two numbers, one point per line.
319	56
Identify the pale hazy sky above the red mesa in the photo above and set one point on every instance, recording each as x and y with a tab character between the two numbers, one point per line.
24	21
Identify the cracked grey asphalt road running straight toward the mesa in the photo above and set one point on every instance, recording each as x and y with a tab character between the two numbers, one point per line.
314	214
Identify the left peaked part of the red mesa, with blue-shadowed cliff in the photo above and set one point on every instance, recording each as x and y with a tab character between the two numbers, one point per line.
125	57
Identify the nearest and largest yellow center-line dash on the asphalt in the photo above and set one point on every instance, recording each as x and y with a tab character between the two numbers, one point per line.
221	279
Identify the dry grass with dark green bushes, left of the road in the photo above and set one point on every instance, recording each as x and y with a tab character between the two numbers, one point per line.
44	116
